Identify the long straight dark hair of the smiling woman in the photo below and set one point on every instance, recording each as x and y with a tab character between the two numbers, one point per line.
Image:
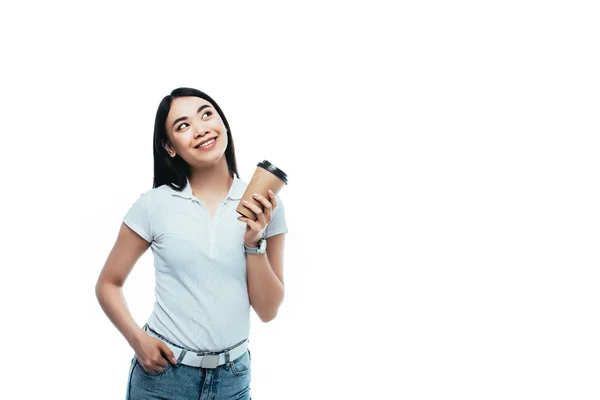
174	171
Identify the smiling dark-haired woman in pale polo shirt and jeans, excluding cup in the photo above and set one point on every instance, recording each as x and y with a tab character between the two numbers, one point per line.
195	343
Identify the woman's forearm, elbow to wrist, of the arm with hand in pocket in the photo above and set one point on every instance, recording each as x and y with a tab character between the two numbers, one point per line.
112	301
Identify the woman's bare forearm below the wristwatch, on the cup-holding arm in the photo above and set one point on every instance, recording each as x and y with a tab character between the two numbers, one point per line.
264	288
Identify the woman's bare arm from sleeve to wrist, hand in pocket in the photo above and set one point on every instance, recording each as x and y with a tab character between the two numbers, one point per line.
128	248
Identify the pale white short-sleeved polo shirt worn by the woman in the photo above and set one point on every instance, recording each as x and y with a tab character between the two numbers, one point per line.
201	288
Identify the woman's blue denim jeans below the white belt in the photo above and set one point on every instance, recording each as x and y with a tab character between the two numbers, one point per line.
182	382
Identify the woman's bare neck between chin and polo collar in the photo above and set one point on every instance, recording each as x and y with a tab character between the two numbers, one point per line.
213	180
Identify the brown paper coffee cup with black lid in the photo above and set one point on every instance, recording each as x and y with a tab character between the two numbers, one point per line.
266	176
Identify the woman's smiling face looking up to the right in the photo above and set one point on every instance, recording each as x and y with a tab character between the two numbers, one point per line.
193	121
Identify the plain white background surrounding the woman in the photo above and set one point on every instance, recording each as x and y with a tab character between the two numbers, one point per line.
442	204
